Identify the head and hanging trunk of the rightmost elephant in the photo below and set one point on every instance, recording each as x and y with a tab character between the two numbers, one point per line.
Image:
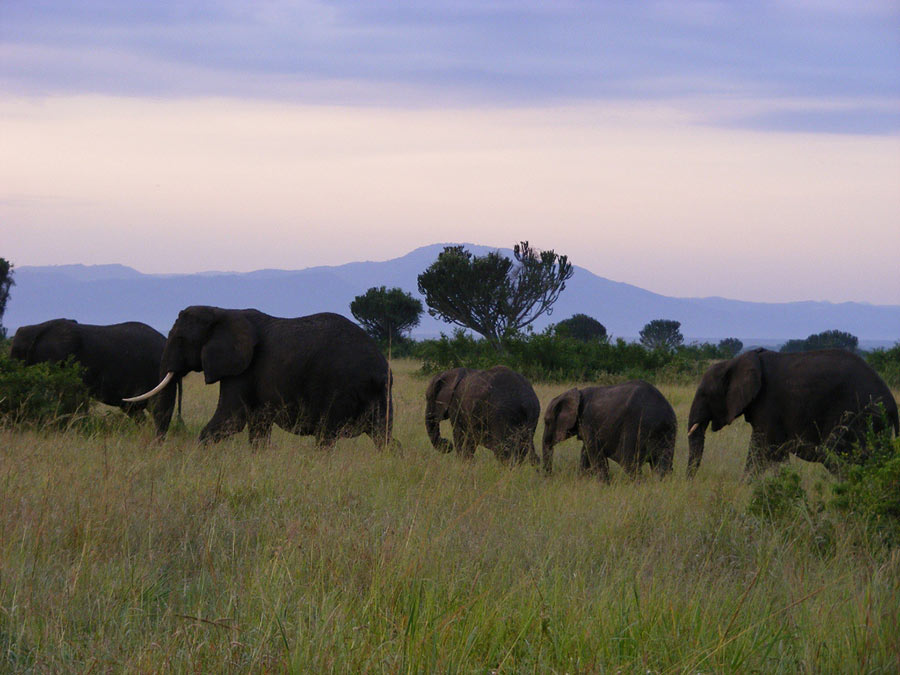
725	391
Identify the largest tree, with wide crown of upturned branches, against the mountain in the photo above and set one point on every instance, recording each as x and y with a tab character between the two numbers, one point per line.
491	294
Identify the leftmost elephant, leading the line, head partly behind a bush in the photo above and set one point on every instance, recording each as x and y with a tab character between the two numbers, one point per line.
119	361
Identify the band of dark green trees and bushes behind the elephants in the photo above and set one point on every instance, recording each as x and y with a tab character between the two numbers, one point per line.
499	298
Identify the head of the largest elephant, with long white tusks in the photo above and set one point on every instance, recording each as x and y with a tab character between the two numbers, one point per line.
218	342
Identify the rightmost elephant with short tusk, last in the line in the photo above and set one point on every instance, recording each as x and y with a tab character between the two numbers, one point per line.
809	404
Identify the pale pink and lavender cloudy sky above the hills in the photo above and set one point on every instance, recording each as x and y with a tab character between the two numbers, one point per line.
693	148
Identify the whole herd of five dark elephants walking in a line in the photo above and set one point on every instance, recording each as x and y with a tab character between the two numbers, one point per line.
322	375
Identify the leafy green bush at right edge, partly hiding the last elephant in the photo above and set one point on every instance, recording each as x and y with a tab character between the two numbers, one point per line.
870	489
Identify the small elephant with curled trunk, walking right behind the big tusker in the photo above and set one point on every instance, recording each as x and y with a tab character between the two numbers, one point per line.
496	408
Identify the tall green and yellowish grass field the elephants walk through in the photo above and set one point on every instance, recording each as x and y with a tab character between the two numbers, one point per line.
120	554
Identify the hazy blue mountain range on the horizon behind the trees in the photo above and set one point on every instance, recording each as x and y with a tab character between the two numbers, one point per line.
113	293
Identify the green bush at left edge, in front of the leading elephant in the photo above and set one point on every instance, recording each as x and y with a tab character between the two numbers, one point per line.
41	394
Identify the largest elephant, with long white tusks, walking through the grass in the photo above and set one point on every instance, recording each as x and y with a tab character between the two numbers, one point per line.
319	375
